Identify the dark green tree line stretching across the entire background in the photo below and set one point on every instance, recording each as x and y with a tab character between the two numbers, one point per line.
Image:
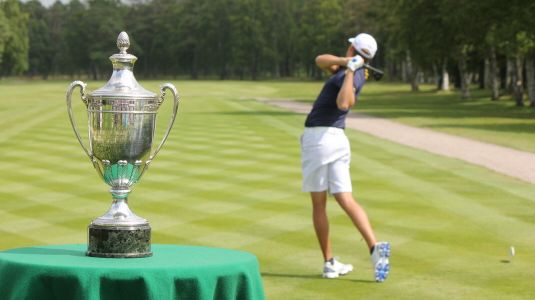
490	43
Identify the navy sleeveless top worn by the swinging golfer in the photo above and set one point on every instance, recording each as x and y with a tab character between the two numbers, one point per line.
325	112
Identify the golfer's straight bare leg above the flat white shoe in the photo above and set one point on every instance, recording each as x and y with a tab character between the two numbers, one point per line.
321	223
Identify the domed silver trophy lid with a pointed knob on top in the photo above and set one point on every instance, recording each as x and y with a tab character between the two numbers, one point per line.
122	83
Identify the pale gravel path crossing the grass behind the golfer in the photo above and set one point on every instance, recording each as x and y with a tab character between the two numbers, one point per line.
511	162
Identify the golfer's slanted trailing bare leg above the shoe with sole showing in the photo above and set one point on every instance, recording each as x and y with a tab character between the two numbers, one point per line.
358	216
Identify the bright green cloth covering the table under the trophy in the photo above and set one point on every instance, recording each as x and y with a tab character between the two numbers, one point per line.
173	272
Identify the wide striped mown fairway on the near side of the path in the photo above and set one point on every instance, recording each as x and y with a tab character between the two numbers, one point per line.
229	176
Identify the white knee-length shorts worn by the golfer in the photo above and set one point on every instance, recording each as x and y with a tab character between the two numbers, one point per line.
325	157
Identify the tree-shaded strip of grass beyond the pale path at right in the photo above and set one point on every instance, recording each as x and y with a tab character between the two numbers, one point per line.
497	122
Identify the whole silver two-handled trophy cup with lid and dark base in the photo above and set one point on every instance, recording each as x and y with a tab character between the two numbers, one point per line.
121	121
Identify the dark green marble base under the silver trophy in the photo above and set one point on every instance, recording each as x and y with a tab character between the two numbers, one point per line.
119	241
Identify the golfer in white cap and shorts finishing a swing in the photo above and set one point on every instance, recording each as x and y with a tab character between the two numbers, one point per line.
325	154
